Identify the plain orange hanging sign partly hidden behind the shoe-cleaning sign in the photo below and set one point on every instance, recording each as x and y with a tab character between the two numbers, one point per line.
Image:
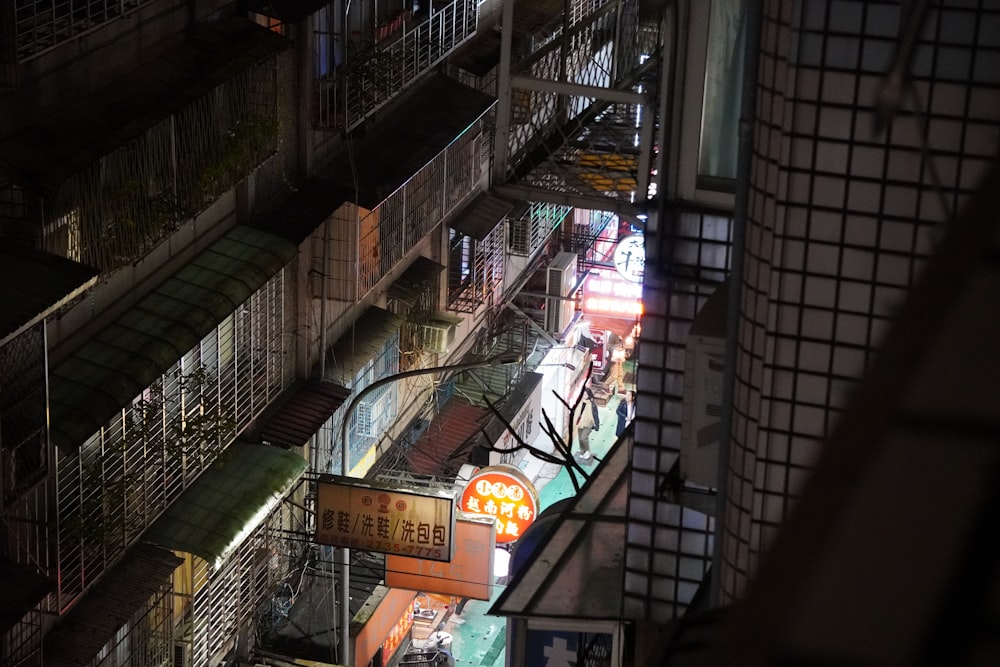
468	575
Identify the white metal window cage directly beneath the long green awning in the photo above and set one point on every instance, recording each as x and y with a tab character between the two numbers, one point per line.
129	472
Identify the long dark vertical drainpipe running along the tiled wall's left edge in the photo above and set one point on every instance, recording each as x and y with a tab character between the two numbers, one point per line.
748	108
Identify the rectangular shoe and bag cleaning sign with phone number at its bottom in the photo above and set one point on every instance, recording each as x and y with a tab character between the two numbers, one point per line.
384	518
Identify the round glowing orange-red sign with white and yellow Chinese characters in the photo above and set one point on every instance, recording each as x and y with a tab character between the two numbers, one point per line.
503	493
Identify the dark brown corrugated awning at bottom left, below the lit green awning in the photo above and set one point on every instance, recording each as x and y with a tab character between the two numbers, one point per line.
109	605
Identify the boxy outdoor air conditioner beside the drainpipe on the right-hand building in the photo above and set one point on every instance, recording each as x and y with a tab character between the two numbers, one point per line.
701	415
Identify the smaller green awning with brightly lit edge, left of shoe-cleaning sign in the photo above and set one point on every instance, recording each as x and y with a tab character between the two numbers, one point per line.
228	501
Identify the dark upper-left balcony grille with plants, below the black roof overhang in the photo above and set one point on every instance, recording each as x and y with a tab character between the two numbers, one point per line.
124	203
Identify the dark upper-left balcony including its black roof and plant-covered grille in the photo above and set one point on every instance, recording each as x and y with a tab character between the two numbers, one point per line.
103	179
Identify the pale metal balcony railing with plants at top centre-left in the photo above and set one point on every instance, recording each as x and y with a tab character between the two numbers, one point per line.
372	76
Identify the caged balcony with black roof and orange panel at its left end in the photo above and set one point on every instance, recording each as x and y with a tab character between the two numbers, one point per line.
403	177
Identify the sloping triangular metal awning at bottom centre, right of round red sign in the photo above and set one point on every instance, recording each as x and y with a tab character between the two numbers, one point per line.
577	572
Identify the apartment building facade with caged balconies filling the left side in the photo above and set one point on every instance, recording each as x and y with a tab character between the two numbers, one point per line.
196	251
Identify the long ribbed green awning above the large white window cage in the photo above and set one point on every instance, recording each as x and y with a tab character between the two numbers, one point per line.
117	364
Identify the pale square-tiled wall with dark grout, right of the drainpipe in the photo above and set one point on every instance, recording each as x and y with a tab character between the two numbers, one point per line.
841	218
